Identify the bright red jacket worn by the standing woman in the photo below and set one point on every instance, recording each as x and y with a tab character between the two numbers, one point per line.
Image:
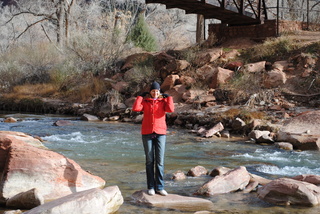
154	113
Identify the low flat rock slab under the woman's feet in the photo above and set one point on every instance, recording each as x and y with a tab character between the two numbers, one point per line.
172	201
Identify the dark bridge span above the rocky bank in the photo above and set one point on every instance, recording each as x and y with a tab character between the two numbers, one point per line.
230	12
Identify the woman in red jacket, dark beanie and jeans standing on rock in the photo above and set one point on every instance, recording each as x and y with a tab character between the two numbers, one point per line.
154	106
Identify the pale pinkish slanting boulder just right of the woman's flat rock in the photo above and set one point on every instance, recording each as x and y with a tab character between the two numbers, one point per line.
236	179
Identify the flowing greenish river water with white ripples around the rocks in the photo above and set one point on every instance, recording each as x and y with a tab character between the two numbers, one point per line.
114	152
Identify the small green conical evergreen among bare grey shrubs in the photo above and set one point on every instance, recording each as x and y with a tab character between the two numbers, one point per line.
141	36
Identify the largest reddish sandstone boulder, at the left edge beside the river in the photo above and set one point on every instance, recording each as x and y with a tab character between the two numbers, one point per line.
24	167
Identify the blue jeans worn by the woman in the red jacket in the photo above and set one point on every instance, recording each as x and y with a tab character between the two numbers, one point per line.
154	148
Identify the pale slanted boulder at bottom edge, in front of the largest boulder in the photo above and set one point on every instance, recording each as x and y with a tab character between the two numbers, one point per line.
92	201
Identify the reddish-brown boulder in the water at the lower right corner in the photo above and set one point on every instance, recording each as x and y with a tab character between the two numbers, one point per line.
286	191
